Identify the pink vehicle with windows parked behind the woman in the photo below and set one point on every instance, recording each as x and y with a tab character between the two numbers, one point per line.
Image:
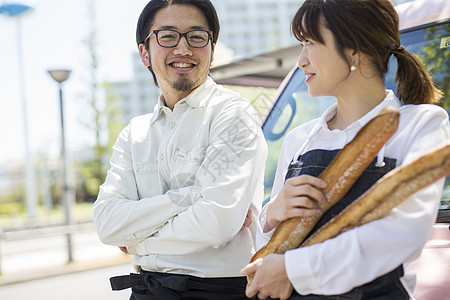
425	31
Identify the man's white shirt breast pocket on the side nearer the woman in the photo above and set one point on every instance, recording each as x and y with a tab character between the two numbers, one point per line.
187	164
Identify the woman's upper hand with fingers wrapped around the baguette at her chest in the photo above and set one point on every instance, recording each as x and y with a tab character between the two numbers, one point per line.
299	197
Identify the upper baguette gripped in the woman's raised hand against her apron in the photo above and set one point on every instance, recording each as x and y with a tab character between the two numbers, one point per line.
340	175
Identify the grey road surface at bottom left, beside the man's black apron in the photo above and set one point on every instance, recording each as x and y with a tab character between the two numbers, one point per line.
86	285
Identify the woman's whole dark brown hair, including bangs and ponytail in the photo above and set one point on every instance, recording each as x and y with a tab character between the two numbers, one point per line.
370	27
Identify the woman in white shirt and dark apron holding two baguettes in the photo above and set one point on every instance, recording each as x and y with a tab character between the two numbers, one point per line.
346	48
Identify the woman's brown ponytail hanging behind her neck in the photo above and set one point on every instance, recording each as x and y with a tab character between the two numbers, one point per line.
414	83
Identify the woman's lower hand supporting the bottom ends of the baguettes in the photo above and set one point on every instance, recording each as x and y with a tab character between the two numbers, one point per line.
270	278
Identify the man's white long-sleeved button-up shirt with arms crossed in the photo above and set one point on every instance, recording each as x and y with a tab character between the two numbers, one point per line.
181	183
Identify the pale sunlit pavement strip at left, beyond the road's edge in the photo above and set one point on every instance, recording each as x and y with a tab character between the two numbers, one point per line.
40	257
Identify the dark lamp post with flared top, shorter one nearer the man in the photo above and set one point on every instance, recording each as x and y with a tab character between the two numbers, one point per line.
60	76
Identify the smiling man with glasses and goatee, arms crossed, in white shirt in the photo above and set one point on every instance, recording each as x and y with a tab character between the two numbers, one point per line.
185	181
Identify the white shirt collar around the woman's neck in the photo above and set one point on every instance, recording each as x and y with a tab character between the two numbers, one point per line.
389	100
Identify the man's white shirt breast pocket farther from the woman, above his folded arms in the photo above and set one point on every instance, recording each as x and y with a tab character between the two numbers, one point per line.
146	178
